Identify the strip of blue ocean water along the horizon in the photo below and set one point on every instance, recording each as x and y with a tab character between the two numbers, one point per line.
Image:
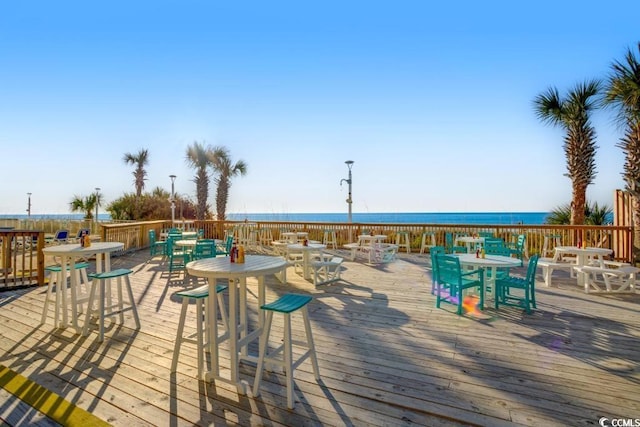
532	218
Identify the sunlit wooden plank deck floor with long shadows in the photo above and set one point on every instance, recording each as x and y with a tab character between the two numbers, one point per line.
387	357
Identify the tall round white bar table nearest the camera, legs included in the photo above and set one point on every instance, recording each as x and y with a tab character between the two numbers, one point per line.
239	337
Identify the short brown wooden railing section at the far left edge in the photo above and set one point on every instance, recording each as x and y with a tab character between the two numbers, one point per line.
21	258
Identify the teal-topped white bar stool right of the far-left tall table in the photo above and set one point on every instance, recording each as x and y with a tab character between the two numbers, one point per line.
100	281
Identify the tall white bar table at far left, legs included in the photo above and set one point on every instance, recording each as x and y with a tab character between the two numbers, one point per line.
69	255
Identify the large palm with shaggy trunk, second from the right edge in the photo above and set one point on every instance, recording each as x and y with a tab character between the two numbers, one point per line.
573	114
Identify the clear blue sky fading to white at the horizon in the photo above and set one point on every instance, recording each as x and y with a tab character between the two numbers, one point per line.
433	101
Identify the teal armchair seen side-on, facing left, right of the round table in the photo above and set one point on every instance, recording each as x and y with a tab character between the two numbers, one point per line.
505	286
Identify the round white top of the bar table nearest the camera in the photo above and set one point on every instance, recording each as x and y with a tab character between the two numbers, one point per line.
222	267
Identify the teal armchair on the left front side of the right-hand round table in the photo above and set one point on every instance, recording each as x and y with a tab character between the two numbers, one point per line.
452	282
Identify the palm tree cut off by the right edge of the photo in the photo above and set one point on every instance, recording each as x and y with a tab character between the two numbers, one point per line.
622	92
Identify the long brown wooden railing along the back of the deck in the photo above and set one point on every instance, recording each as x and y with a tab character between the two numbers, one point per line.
618	238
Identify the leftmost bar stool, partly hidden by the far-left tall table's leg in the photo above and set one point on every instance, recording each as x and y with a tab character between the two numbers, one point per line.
59	280
